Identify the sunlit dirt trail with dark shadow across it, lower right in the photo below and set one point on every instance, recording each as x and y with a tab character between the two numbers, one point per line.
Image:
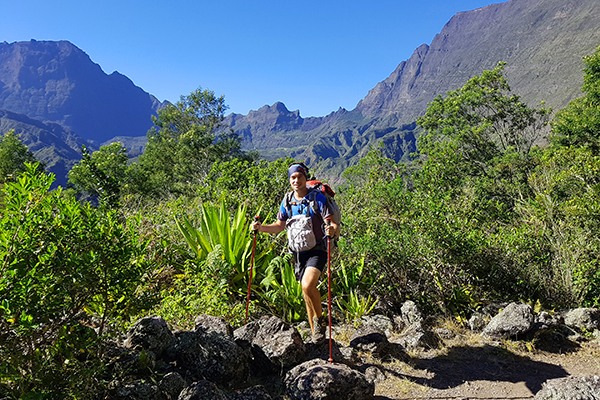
470	367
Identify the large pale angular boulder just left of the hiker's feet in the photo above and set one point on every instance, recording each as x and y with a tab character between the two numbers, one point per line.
278	342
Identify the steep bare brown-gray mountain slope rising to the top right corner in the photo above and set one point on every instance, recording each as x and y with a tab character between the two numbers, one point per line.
542	41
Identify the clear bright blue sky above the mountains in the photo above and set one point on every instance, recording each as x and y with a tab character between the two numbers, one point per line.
315	56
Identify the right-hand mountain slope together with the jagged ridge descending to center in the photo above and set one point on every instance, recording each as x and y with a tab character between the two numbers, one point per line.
542	42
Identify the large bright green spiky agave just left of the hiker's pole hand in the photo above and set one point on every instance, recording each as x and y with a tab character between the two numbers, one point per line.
234	238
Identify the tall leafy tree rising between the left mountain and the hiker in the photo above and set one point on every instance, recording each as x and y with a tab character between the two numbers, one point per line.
187	138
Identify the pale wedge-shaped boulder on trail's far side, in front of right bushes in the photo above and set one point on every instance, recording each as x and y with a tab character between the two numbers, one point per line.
515	319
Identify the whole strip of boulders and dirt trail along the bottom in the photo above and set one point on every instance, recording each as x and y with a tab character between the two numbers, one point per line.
511	354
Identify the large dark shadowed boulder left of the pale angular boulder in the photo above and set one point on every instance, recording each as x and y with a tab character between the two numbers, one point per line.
211	356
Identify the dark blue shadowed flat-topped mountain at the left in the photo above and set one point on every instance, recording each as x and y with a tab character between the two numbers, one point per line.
58	82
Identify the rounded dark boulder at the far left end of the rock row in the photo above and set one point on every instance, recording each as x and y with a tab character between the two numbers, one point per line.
151	333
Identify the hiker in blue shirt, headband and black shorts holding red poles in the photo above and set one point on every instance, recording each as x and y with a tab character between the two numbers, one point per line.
307	231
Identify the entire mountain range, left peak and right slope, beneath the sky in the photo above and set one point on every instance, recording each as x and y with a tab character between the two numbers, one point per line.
541	41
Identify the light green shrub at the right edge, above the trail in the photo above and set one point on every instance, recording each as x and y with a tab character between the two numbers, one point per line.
564	211
